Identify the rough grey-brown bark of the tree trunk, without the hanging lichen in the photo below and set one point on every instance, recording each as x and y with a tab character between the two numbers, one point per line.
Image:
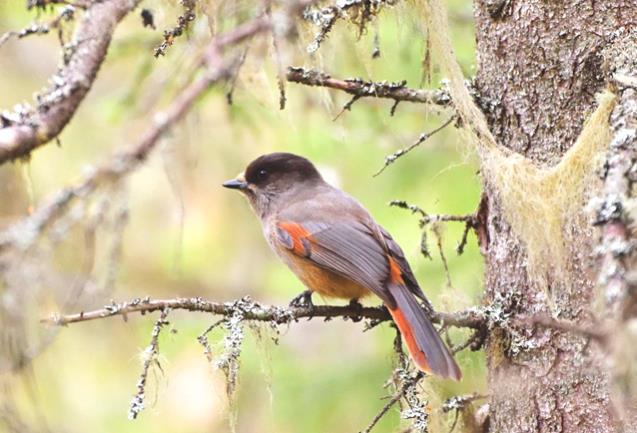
539	66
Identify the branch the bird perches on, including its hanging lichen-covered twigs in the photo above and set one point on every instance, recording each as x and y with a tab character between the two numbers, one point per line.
236	312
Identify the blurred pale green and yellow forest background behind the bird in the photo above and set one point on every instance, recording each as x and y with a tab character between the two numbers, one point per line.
170	230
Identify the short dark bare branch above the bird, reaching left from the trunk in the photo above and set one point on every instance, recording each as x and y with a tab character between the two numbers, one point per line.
369	89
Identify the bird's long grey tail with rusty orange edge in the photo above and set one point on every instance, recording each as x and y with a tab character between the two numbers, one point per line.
425	346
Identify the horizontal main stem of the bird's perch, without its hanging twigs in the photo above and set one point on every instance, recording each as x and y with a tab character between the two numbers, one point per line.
251	310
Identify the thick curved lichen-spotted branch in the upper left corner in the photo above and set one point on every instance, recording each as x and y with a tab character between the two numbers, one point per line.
22	132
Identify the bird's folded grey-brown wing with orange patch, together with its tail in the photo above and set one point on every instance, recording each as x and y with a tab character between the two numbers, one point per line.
367	255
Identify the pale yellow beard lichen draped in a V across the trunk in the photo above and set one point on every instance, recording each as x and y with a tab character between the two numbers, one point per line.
542	204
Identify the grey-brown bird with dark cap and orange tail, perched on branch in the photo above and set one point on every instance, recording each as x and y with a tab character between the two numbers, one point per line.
334	246
